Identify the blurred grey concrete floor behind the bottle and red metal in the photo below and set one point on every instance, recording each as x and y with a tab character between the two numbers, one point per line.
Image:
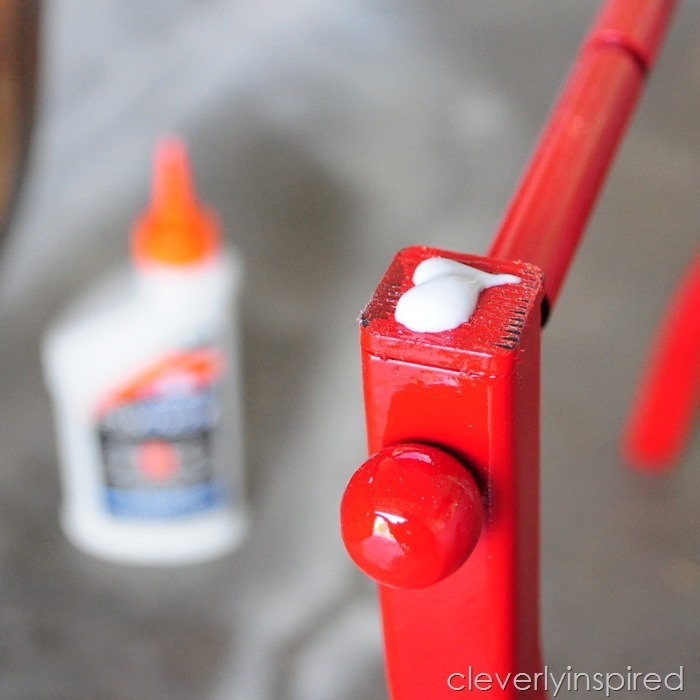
328	135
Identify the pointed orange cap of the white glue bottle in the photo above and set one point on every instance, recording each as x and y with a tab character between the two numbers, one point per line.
175	229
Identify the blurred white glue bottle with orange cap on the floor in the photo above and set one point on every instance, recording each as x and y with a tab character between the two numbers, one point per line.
144	379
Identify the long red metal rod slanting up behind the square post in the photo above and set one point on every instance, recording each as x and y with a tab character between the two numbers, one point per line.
549	210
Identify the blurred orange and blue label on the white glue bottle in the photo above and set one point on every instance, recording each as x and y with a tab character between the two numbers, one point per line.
156	438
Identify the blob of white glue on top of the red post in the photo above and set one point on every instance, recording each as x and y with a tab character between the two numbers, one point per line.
445	295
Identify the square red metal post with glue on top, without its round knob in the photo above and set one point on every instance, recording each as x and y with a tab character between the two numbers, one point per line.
474	393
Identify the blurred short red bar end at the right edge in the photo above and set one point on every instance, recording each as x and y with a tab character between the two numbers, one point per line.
663	411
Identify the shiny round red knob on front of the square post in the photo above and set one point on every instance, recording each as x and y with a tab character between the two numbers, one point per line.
410	516
